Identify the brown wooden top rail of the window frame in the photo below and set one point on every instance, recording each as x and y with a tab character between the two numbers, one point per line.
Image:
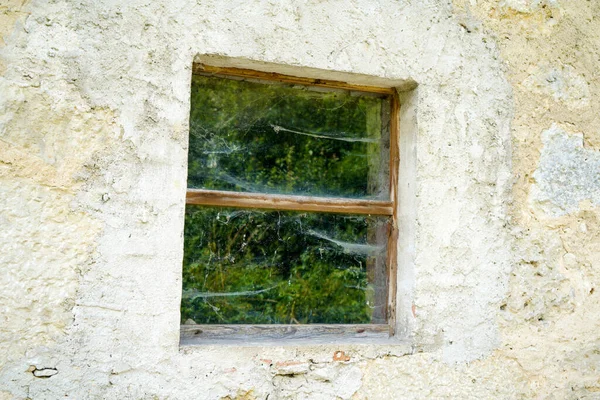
202	69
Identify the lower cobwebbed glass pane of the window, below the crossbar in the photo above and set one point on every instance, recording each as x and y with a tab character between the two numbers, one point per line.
281	267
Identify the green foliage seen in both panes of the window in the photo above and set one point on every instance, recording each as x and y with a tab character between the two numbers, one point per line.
271	267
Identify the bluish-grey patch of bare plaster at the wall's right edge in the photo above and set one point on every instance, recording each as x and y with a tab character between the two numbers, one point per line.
567	173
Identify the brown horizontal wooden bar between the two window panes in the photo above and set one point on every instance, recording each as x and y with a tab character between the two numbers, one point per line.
287	202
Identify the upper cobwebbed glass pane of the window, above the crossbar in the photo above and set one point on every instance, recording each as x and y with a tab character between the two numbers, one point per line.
267	137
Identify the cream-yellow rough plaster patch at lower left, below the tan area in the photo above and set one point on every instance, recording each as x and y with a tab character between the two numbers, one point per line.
40	263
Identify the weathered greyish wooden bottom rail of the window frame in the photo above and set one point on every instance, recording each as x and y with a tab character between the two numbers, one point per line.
318	332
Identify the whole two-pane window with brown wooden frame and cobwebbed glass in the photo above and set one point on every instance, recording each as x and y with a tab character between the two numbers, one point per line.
290	209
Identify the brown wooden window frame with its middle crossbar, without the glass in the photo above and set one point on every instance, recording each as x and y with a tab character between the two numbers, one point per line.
312	333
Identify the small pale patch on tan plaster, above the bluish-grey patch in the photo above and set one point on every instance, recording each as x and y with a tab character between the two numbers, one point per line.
562	83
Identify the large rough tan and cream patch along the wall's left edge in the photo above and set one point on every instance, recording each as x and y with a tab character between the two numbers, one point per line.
49	136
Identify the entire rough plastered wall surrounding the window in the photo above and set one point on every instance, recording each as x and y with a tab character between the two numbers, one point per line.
502	271
